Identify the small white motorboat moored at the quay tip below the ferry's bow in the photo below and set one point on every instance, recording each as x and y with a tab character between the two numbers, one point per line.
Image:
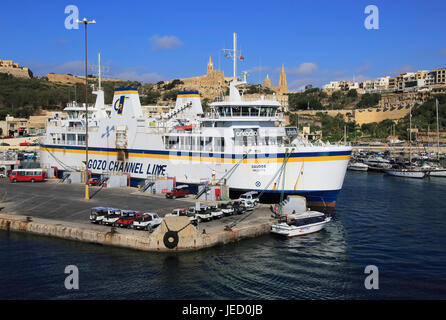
302	224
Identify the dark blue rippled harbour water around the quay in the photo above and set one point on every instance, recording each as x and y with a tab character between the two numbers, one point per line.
396	224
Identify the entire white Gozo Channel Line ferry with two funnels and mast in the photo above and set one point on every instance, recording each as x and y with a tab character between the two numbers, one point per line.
242	144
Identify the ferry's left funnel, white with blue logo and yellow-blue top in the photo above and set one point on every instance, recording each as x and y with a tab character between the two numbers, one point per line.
126	104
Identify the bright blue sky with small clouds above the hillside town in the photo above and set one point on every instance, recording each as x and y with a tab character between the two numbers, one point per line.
317	41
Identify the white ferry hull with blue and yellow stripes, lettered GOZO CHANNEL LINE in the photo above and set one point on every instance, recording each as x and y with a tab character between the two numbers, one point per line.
316	174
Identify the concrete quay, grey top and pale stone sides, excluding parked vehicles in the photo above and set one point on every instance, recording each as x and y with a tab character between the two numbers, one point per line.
59	210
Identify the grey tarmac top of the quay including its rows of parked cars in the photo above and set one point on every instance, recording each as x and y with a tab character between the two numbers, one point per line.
65	205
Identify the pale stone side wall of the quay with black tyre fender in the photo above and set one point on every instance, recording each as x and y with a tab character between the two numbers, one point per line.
190	239
